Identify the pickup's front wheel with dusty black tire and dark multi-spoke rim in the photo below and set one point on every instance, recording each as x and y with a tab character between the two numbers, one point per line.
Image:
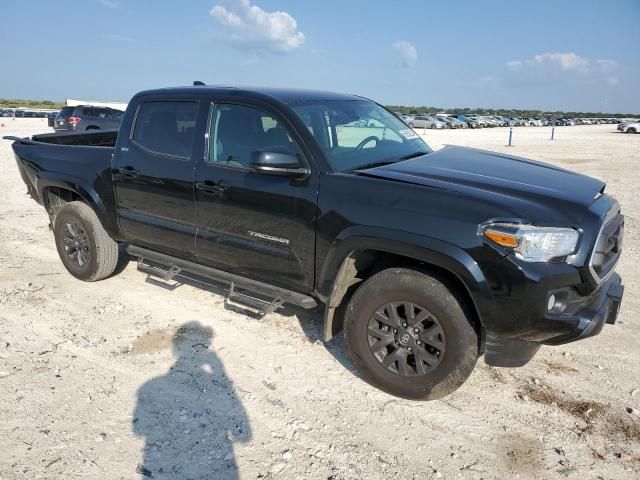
452	351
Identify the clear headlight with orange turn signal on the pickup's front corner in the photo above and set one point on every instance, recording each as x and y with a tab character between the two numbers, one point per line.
533	244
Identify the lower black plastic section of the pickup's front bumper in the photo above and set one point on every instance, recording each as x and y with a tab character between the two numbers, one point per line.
586	318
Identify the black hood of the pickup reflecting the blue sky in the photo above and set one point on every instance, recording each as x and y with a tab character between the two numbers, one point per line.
467	170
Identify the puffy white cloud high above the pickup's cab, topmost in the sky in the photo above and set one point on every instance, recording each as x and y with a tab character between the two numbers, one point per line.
249	26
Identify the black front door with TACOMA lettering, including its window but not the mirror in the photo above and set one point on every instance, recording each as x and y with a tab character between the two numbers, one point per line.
254	224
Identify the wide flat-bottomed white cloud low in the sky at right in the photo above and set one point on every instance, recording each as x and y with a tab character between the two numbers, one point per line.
565	65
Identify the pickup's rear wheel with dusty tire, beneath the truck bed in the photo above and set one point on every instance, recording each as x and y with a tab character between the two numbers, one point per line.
85	248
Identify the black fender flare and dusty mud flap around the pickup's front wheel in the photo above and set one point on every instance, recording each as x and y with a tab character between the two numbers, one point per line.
340	261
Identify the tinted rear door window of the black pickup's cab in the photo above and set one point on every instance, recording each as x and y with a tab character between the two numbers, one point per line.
166	128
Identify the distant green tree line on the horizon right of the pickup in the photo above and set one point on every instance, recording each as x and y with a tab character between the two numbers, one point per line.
503	112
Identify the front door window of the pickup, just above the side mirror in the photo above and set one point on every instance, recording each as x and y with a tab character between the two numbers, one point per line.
236	131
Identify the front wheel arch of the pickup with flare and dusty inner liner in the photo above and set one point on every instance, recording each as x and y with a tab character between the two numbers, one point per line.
359	256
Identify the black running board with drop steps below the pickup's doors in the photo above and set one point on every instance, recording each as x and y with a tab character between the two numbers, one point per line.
176	265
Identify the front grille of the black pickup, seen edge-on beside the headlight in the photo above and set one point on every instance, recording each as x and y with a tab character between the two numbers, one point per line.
608	247
